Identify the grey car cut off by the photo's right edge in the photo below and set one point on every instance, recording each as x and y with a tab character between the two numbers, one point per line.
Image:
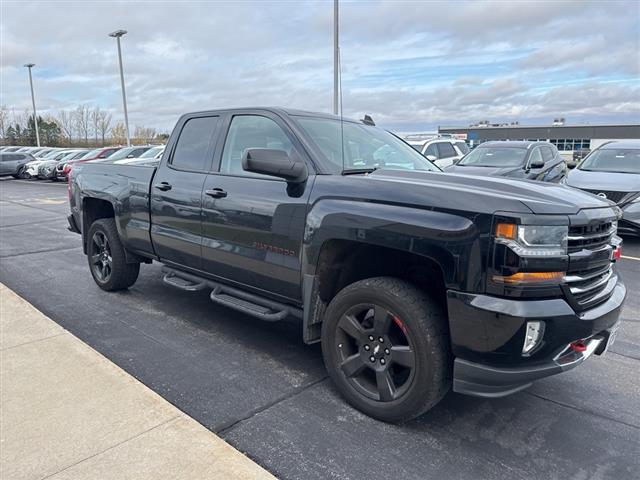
612	171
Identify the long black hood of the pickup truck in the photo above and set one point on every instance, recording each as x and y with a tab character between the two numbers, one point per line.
489	193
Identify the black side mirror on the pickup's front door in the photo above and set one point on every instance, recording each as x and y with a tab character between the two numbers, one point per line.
277	163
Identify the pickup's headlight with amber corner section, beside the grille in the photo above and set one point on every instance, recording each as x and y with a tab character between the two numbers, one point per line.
533	240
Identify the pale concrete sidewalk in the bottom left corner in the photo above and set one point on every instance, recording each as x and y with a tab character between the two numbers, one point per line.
66	412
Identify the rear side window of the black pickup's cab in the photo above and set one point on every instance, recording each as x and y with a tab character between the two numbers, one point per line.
192	150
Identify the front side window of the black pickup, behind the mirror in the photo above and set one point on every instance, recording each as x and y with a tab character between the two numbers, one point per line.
251	131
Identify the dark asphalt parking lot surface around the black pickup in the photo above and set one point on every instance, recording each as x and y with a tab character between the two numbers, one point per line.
261	389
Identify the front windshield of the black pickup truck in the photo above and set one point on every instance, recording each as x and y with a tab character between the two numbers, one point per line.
365	147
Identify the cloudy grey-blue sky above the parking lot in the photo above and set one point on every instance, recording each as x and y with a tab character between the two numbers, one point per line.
412	66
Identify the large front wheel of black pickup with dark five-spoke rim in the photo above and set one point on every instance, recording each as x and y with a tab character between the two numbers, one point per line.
407	373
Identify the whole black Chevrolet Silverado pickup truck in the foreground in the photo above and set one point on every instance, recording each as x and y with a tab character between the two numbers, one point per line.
415	281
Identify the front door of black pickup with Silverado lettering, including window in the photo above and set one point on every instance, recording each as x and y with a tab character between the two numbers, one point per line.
253	226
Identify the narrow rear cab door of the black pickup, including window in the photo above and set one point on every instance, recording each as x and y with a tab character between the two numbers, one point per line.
176	192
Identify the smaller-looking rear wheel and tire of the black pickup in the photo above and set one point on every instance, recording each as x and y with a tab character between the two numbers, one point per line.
108	265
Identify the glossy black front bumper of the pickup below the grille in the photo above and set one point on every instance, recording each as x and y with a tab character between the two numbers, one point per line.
487	335
